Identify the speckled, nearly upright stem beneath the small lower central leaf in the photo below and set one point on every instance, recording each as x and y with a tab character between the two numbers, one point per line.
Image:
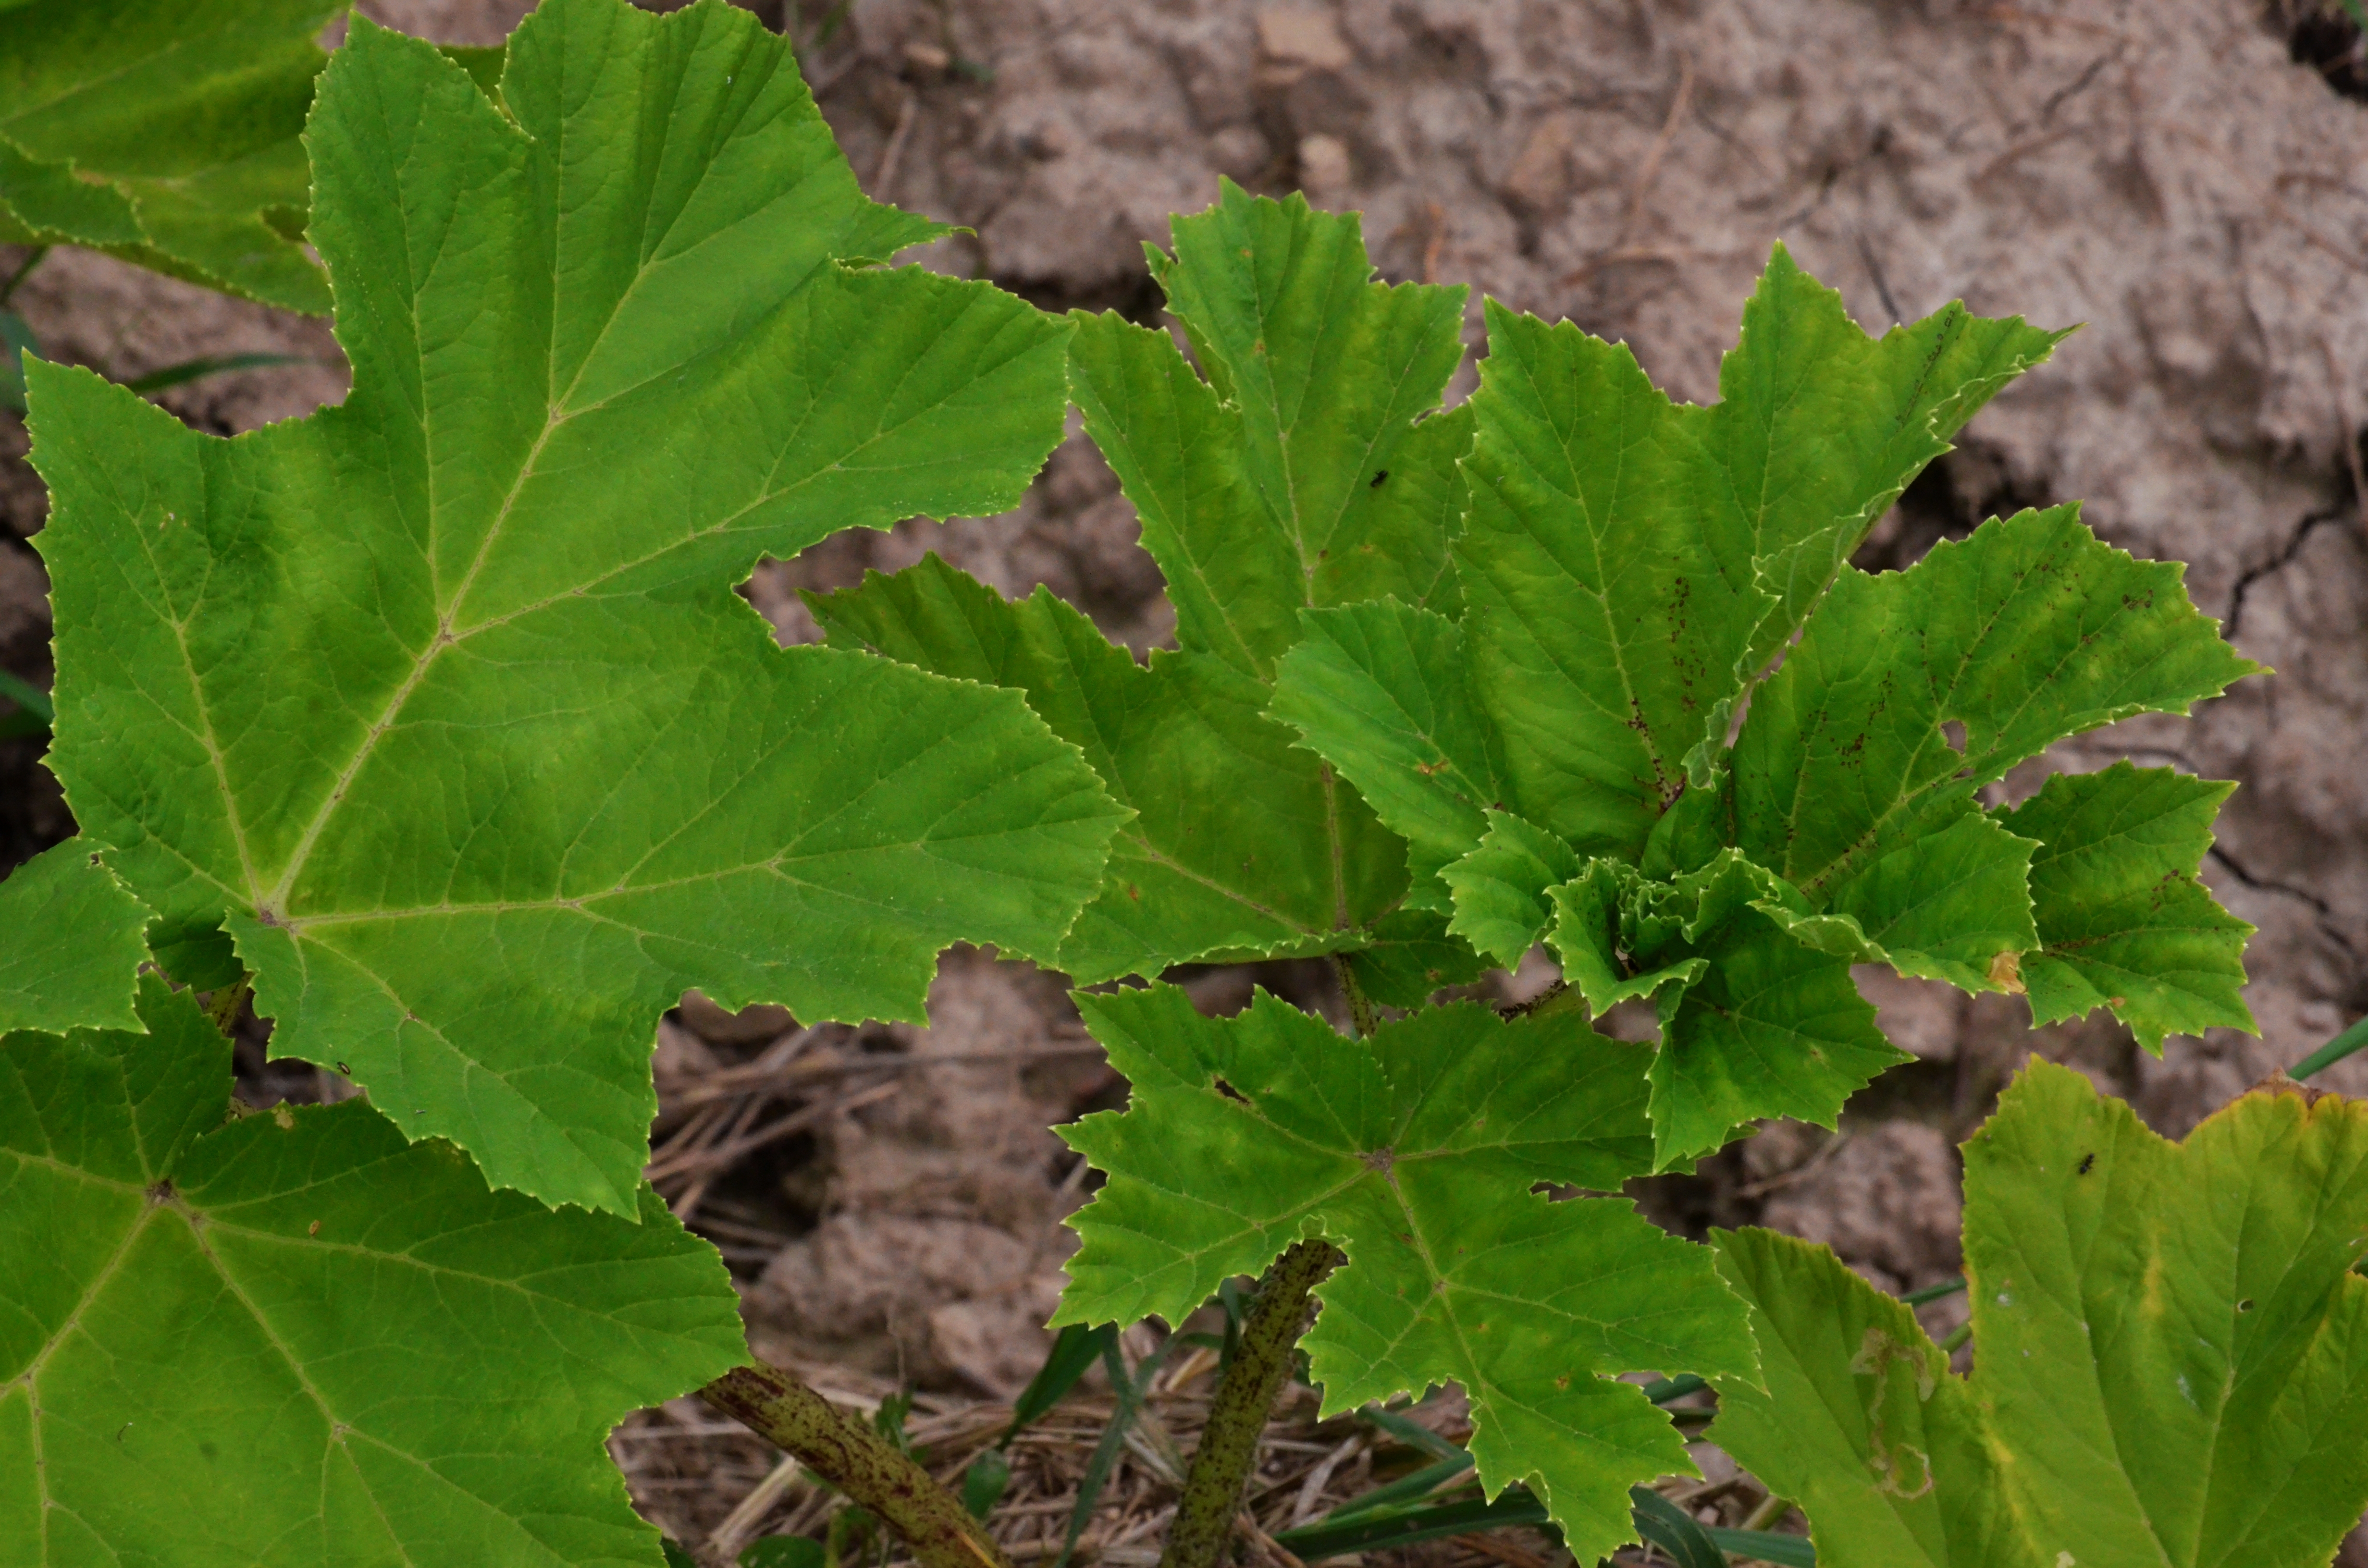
1240	1415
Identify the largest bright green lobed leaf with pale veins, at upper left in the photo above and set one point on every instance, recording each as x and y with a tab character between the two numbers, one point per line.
439	705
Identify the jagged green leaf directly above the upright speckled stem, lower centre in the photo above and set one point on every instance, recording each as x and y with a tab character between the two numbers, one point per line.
1420	1155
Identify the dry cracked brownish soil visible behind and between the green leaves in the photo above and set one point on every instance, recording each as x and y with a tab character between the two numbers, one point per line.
2187	179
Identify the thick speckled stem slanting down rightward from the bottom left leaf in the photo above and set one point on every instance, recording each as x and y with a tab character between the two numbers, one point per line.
858	1463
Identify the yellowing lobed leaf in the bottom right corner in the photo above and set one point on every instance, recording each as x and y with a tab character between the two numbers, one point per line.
2170	1351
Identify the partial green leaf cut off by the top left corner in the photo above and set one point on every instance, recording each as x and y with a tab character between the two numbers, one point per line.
167	134
